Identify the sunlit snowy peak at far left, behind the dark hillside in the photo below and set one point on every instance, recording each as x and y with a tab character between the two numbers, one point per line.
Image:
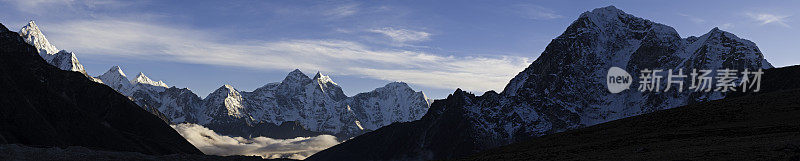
62	59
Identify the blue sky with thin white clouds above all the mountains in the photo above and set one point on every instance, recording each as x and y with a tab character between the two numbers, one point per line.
435	46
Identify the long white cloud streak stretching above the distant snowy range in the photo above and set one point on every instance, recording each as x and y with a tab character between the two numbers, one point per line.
155	41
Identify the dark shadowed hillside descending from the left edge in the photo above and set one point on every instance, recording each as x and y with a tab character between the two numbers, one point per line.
43	105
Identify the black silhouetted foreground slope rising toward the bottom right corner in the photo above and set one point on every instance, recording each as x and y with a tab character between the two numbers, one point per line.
763	126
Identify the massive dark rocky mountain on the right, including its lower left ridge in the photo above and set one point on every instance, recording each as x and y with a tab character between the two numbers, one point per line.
563	89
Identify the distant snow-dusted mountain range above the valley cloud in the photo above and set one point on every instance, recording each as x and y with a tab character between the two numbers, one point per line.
296	106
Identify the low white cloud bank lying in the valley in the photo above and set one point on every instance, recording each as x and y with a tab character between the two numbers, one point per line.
212	143
